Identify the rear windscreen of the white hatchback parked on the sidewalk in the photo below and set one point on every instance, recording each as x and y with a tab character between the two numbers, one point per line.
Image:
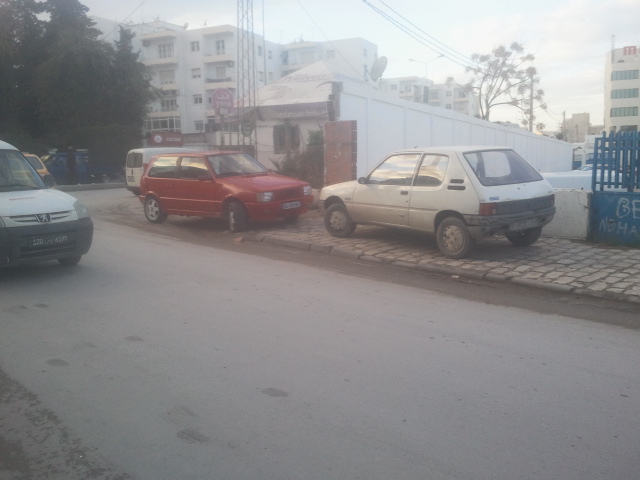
501	167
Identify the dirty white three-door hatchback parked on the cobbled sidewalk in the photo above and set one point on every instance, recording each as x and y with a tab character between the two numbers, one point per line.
460	194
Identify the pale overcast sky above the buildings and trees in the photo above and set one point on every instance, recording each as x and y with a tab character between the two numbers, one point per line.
569	38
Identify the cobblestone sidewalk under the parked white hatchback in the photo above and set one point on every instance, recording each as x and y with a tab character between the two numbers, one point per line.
557	264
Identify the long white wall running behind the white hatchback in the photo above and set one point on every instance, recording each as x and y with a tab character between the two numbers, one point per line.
386	124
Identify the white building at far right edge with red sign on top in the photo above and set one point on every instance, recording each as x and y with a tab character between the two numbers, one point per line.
622	87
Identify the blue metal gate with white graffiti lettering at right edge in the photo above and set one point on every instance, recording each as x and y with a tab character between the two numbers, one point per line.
615	205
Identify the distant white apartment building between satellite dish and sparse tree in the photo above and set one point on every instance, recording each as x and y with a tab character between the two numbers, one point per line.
450	96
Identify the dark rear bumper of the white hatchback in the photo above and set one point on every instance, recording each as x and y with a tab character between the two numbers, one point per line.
484	226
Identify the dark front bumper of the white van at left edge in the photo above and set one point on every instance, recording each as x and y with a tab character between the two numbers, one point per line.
15	248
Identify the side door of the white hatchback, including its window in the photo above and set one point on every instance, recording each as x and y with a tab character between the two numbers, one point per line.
384	196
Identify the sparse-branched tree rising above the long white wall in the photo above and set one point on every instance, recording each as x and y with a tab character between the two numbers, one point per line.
506	76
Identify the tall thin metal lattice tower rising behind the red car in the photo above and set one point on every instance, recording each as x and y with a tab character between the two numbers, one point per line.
246	90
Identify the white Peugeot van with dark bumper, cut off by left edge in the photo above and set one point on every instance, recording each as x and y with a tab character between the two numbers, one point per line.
38	223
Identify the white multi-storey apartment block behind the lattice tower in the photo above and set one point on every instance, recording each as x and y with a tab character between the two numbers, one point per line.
188	66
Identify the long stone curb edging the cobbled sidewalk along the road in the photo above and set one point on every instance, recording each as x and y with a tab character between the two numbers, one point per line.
441	270
